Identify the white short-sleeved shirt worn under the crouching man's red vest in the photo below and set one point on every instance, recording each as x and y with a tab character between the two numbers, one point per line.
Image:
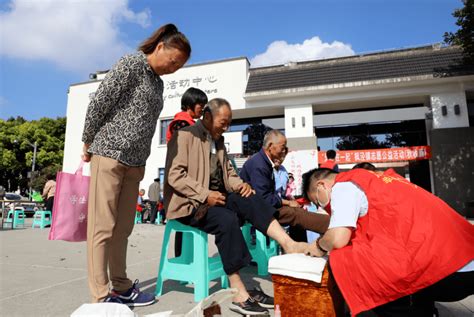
349	203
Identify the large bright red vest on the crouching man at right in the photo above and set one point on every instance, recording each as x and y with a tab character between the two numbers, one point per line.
409	239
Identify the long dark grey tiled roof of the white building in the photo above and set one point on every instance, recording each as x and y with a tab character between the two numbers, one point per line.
411	62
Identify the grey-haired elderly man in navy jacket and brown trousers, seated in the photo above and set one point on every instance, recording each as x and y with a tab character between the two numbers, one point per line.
258	172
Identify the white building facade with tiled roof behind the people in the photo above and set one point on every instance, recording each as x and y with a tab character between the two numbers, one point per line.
421	97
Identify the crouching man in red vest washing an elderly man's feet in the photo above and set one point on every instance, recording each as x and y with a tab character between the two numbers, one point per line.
394	248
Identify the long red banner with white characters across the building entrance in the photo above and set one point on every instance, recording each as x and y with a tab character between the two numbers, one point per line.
411	153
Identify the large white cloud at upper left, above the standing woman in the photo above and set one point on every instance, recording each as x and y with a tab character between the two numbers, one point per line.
75	35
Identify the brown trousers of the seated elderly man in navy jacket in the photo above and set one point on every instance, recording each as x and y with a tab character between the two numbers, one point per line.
302	219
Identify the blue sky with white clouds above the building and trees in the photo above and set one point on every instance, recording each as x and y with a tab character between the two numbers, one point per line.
47	45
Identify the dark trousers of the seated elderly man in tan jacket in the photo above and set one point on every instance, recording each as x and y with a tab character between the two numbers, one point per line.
225	221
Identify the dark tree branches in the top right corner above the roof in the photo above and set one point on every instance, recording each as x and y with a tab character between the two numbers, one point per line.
464	37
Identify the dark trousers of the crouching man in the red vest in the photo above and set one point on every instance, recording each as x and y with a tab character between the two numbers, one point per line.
454	287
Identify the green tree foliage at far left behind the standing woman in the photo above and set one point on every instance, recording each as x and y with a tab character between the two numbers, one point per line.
16	151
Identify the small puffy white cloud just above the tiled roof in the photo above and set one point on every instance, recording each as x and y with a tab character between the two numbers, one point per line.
280	52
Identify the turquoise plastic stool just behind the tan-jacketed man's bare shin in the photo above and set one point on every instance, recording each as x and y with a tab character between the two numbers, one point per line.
261	251
